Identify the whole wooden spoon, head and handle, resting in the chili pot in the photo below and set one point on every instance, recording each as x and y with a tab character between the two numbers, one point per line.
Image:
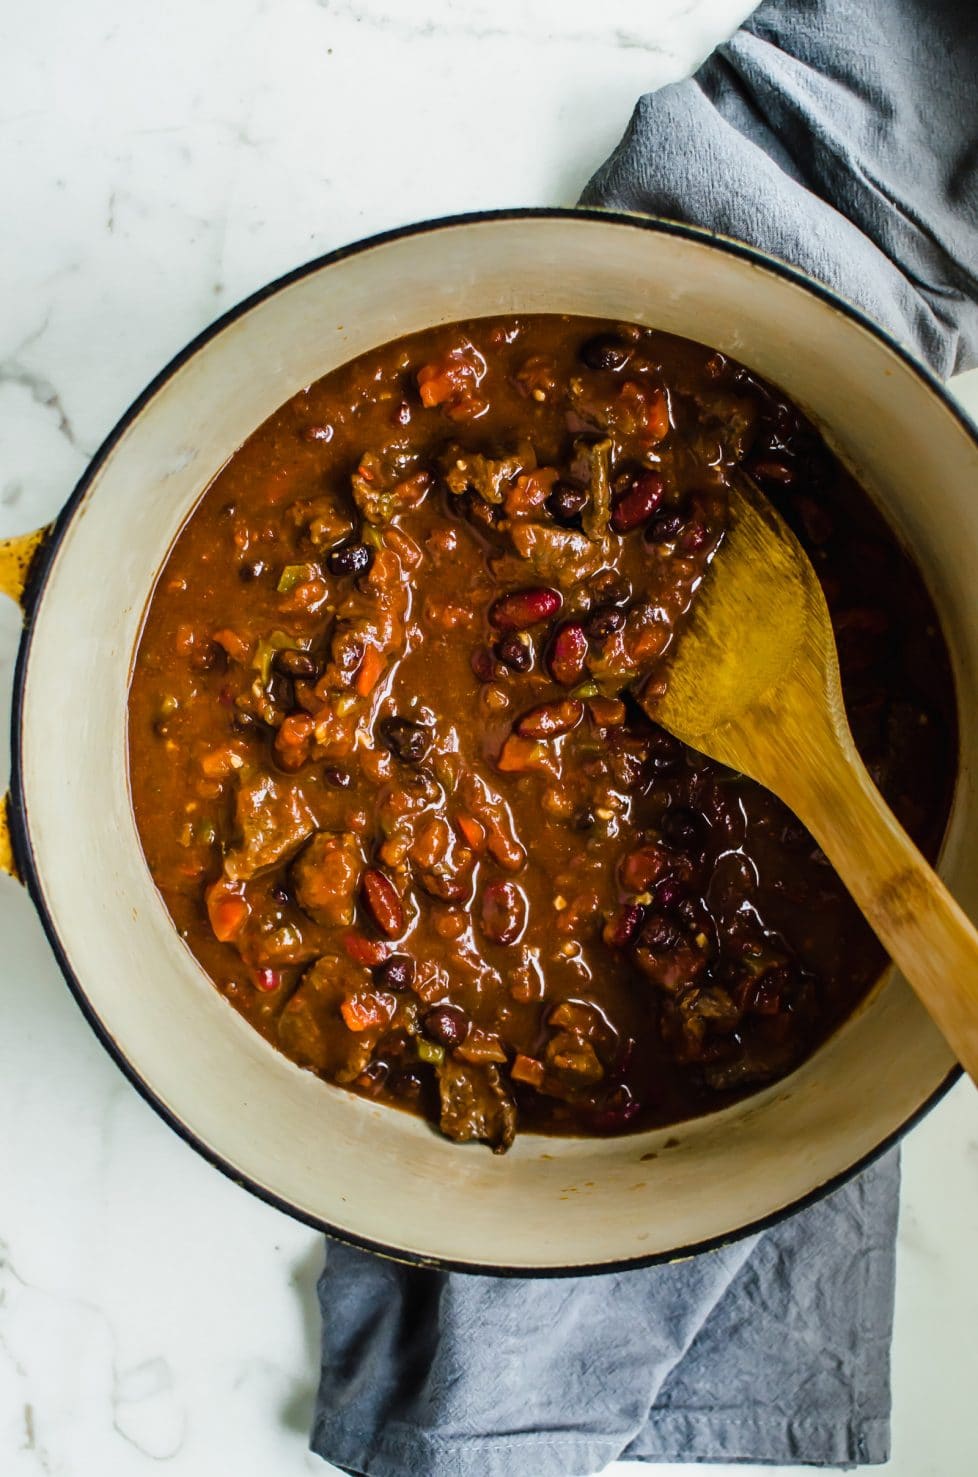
756	685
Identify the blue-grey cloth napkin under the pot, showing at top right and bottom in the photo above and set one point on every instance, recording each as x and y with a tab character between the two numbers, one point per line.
841	138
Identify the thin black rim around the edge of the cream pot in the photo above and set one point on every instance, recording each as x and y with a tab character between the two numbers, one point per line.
35	593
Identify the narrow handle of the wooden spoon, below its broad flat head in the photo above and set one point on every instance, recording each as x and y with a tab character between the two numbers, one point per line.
923	928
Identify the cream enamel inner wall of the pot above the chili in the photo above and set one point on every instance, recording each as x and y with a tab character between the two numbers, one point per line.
364	1171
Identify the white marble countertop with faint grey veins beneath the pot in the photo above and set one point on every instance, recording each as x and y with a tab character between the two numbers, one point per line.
157	163
